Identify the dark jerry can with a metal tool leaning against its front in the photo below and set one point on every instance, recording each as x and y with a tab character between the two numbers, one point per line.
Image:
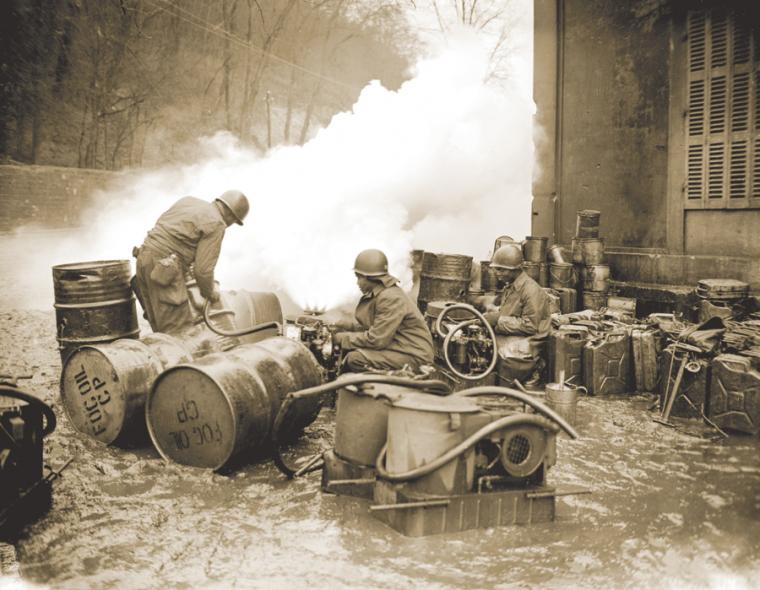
692	399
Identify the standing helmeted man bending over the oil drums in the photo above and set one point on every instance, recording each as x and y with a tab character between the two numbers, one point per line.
189	232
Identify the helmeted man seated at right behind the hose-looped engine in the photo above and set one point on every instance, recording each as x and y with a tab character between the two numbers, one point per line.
521	317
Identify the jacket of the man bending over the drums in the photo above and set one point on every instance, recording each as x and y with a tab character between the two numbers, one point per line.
193	229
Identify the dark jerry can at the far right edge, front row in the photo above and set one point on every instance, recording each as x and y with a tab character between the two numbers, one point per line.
735	394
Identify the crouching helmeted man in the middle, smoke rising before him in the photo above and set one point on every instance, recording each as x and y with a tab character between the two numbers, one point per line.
389	331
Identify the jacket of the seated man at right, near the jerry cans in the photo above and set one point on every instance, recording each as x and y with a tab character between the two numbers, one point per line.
523	309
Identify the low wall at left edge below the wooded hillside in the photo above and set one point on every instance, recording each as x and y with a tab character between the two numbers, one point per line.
48	196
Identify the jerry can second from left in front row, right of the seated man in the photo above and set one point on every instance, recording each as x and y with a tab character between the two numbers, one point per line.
607	364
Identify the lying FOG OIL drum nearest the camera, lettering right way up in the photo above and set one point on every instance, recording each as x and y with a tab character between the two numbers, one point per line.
206	413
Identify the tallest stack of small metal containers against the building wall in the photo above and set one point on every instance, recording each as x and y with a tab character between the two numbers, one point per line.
589	260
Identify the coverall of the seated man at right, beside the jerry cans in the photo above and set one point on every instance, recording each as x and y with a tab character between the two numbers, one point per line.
522	324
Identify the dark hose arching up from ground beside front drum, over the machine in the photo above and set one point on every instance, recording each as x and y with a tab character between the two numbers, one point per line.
431	386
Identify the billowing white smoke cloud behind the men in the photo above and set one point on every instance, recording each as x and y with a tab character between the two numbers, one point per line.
442	164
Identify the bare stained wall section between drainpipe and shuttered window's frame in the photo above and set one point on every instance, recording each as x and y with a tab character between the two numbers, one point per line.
614	119
